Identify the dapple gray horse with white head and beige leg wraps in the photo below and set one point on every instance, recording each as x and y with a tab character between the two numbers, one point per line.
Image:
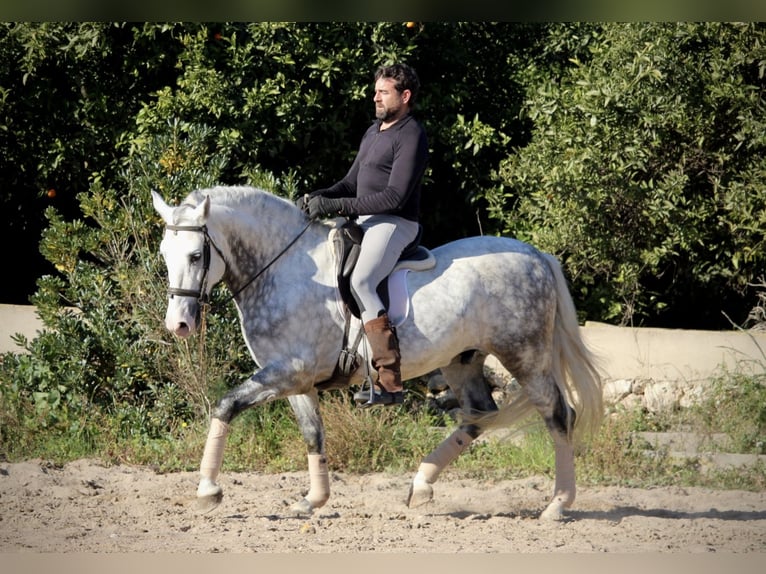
484	295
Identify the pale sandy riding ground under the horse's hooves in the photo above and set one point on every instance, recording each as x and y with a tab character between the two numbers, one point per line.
92	508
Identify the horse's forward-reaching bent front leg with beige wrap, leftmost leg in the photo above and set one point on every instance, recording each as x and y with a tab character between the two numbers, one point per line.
268	384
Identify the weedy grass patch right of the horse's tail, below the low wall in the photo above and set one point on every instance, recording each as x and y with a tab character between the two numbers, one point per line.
734	408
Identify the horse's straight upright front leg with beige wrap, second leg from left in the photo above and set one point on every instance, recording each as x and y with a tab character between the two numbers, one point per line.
306	409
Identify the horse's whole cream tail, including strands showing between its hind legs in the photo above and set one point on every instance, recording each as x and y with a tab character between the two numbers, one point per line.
573	368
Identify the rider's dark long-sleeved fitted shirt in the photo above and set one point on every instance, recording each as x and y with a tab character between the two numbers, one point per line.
387	173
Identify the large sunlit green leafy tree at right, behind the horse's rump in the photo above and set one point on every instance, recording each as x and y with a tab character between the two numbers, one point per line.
645	172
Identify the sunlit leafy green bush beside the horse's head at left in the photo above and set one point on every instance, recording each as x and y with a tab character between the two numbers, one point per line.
107	352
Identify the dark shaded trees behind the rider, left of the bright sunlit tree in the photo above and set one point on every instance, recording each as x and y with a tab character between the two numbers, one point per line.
289	98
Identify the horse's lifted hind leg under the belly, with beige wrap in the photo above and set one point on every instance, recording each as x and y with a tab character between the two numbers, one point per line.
465	376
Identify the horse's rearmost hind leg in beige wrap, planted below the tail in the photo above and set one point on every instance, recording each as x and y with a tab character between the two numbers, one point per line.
559	419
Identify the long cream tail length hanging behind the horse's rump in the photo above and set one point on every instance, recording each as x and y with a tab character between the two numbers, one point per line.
574	366
